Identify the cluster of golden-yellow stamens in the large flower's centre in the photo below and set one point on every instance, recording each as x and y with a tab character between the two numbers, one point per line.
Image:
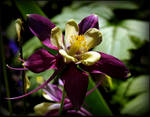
78	45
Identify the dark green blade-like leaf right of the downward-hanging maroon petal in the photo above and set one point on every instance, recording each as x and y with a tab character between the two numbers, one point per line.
96	102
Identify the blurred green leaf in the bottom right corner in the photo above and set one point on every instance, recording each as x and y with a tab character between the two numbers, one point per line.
137	106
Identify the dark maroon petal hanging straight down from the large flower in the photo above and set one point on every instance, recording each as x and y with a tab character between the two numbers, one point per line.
75	83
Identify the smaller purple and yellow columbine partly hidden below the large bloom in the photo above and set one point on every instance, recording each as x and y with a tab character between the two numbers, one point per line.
54	94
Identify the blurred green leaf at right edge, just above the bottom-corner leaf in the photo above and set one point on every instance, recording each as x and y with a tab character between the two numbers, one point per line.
139	85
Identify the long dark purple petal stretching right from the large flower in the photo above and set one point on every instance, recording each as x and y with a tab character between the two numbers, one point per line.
108	65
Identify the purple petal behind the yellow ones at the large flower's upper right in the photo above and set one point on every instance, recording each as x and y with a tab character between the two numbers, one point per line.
88	22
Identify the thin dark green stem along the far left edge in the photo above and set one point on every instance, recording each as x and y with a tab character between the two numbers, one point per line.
5	74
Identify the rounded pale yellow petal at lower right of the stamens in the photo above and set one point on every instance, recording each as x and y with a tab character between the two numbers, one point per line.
89	58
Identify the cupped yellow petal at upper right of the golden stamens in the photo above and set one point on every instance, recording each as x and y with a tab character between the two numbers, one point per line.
93	37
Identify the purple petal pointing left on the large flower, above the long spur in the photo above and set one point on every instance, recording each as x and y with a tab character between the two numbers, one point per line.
40	61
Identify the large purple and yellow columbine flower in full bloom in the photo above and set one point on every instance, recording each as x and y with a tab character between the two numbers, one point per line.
73	50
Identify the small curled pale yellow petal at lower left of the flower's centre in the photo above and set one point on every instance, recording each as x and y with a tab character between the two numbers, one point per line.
67	58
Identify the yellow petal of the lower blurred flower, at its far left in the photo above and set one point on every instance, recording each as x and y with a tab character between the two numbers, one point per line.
42	108
